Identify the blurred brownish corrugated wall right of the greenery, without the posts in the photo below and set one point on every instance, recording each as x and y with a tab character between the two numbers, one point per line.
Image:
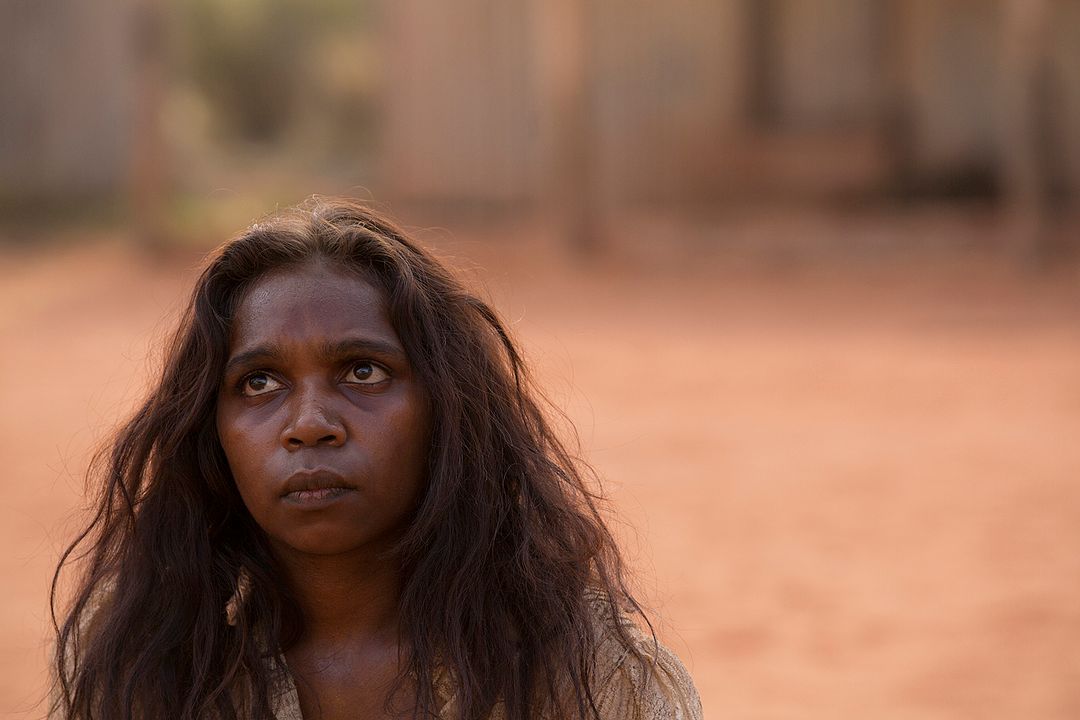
691	99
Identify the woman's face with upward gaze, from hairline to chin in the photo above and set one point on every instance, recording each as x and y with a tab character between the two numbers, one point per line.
325	424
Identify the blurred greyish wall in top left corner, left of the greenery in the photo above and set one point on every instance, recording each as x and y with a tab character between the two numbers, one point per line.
66	97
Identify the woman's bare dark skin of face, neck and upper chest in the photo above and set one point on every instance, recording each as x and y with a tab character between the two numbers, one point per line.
327	430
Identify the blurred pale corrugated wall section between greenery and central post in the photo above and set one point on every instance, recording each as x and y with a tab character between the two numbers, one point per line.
461	116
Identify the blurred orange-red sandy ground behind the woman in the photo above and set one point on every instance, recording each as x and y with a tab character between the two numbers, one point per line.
848	492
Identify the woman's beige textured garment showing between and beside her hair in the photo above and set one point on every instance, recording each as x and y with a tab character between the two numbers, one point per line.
627	691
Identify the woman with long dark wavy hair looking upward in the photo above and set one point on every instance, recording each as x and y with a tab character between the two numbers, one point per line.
342	500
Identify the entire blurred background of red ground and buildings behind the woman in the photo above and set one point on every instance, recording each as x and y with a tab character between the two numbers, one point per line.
804	274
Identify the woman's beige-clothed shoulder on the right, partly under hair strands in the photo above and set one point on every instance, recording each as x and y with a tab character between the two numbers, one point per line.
637	676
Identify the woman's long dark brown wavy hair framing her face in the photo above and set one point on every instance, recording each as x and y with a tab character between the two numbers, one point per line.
503	563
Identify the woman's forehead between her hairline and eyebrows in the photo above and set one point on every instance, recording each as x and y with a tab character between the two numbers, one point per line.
312	303
